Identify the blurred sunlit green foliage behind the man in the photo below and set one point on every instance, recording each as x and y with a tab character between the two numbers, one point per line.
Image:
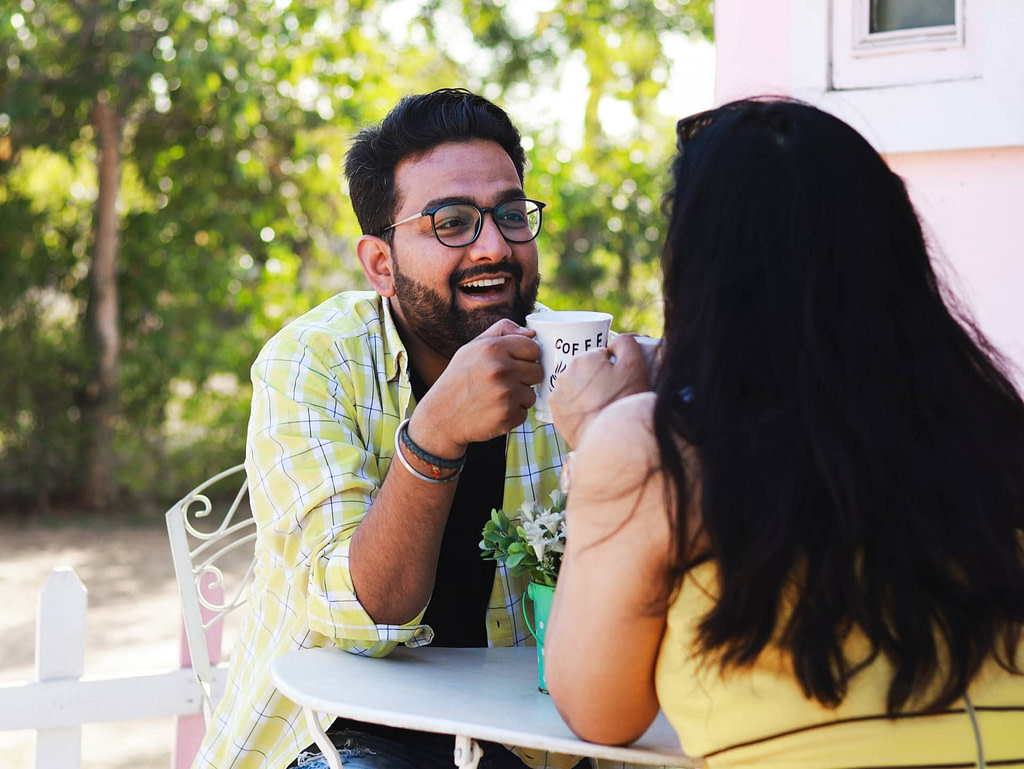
234	218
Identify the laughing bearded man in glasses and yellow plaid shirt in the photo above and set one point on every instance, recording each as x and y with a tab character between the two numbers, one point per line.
433	369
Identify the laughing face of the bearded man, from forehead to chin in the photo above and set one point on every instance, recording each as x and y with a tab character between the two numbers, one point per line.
448	296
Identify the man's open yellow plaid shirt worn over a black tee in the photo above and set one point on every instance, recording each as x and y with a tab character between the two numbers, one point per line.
330	391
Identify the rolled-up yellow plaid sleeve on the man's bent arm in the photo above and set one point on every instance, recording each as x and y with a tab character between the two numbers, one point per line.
314	476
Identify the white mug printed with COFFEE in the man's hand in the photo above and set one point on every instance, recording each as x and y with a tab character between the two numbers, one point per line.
564	335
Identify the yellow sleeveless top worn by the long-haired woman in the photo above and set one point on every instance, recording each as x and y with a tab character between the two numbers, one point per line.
758	718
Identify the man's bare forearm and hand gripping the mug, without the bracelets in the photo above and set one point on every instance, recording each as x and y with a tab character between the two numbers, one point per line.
486	392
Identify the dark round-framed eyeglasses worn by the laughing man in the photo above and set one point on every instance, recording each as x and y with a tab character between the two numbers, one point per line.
459	225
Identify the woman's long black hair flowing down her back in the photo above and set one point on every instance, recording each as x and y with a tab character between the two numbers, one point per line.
857	438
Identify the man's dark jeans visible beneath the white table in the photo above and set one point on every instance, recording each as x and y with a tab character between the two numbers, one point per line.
387	748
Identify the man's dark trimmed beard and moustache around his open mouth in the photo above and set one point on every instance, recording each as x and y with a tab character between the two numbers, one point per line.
442	324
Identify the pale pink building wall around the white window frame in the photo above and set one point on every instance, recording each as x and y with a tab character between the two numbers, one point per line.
971	202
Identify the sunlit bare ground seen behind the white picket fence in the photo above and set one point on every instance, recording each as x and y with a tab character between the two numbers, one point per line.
132	625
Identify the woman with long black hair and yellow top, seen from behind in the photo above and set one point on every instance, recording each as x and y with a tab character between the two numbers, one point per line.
806	544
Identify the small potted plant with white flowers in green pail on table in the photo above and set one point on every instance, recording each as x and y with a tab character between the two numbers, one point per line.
531	542
